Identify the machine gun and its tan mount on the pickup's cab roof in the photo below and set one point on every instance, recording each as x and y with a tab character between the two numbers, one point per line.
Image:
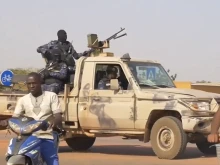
98	46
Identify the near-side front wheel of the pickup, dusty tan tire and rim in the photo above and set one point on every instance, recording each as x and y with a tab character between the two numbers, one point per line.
168	139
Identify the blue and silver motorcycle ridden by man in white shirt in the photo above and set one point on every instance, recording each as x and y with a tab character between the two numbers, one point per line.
25	148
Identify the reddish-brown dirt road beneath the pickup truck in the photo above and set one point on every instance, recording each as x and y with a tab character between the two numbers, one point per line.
109	151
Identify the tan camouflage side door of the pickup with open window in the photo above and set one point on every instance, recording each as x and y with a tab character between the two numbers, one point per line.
107	109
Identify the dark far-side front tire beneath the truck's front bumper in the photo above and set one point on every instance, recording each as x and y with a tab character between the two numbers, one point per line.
205	148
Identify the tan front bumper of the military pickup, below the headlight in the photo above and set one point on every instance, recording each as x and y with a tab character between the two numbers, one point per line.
197	124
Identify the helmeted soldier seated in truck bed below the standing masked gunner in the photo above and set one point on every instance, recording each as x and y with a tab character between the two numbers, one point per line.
55	77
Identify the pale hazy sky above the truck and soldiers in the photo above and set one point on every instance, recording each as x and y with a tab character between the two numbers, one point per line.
184	35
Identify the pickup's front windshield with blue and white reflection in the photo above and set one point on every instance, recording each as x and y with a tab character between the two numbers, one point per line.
150	75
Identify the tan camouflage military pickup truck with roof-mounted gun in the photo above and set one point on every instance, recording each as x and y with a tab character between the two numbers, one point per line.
142	103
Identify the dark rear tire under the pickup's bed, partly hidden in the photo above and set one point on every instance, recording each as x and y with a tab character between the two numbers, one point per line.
80	143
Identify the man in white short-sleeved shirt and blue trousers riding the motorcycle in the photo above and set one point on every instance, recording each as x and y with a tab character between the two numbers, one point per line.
41	105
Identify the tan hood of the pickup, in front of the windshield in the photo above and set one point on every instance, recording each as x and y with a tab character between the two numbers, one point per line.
185	93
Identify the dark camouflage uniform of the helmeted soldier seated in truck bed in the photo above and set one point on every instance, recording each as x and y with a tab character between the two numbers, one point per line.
54	80
